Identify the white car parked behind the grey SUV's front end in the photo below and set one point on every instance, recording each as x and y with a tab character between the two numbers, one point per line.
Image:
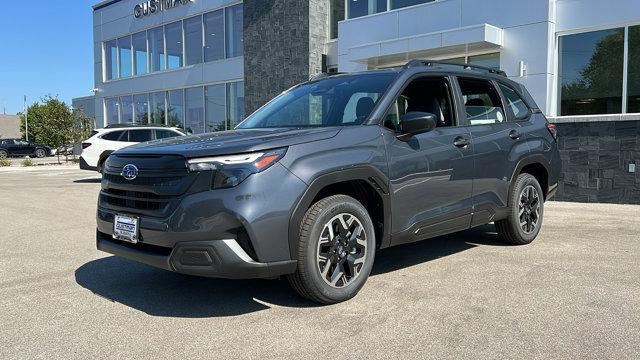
103	142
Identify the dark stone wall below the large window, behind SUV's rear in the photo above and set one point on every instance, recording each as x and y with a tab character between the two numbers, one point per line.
595	162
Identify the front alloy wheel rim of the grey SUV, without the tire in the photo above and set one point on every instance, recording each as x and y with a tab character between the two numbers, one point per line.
342	250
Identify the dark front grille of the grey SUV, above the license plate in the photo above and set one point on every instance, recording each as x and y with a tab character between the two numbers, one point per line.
161	183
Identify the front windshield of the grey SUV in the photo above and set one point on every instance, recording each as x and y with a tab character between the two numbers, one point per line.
335	101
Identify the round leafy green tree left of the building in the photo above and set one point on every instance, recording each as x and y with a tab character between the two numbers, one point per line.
50	123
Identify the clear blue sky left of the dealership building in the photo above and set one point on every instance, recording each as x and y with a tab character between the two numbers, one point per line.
46	48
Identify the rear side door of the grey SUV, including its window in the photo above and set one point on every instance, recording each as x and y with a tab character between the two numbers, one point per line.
498	143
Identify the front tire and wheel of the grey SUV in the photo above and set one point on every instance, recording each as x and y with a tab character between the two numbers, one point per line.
351	260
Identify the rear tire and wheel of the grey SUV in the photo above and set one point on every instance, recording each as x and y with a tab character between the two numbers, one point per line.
526	212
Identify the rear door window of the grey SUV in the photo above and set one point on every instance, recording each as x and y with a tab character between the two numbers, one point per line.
481	102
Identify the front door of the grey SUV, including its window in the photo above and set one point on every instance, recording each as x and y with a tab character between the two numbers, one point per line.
430	173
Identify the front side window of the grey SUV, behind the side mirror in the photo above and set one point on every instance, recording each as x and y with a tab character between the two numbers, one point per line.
427	94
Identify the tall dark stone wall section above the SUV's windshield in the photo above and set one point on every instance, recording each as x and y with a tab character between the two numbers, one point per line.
283	45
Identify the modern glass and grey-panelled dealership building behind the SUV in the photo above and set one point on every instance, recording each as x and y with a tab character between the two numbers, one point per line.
204	64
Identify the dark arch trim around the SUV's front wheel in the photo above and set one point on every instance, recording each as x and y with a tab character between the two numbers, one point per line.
370	174
